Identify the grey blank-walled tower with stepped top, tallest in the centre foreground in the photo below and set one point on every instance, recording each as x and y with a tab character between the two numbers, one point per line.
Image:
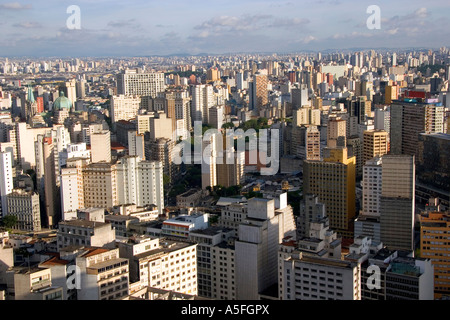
256	255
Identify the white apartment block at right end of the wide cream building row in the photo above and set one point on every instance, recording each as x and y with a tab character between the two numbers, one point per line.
140	182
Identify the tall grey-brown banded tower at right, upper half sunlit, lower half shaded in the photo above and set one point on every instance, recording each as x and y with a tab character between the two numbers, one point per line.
397	202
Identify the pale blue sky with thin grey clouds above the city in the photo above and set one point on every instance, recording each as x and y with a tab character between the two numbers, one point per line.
108	28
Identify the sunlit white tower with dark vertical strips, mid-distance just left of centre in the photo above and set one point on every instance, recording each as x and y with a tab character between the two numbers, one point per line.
202	100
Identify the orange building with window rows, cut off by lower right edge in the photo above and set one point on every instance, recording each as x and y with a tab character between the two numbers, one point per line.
435	245
